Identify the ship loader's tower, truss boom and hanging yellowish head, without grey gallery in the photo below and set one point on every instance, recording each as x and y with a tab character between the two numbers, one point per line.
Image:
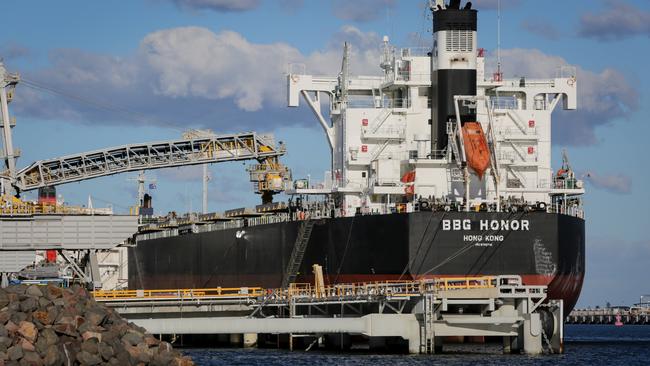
195	147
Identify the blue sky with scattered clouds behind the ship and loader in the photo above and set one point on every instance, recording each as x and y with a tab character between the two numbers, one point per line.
218	64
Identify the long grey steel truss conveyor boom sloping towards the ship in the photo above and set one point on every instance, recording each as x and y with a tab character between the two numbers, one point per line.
134	157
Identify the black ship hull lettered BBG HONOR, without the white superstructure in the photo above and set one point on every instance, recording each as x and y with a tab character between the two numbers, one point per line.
543	248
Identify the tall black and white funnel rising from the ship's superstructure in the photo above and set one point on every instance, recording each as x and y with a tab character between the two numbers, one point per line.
453	69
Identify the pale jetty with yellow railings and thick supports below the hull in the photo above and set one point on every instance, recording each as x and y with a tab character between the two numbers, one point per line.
420	313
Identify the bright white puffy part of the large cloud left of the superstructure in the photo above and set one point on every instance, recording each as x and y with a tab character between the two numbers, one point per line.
195	62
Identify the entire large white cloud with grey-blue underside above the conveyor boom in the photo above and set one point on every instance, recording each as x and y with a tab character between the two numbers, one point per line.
189	76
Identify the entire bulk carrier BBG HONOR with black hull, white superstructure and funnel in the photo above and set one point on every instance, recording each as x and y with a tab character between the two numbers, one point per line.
437	169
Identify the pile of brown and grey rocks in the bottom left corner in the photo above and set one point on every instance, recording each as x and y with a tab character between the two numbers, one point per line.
49	325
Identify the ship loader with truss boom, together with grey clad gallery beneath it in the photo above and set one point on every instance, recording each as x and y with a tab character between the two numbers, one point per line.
78	233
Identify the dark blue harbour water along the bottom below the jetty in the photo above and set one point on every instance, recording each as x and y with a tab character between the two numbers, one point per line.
584	344
